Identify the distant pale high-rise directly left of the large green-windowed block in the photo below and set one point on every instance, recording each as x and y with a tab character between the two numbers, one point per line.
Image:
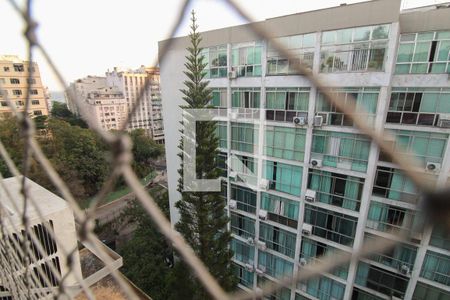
148	115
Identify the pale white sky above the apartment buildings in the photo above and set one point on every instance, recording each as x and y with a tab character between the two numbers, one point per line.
86	37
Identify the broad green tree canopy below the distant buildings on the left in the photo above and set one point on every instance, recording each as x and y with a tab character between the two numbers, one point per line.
80	157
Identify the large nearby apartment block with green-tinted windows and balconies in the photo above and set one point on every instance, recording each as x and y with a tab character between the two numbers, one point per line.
302	181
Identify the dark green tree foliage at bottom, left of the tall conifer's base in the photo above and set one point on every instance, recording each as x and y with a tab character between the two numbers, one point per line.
147	256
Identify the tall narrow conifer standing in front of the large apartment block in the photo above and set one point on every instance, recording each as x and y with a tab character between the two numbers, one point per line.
203	221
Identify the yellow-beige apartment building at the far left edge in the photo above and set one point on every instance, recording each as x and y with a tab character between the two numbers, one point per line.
14	82
